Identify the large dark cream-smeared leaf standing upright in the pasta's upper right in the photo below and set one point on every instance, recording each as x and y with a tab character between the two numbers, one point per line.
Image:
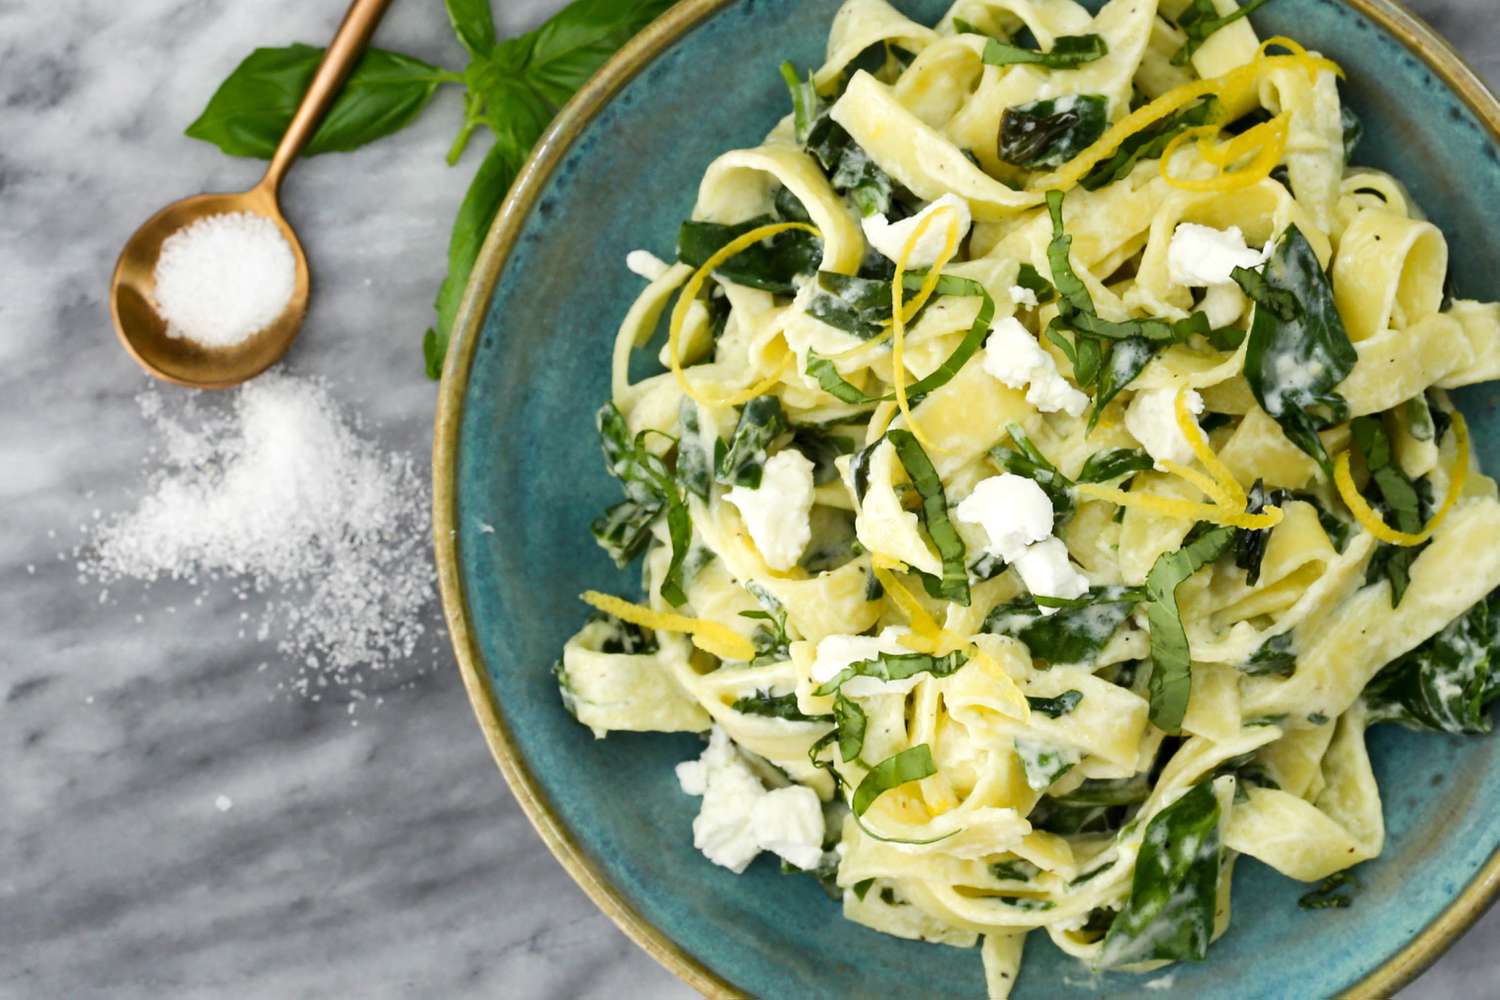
1298	350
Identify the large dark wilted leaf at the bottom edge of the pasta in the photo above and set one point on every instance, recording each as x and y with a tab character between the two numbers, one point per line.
1169	914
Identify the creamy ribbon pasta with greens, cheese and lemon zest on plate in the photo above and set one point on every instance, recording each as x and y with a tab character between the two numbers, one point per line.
1049	481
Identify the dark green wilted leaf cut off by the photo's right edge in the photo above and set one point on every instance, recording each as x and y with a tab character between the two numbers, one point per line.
1447	683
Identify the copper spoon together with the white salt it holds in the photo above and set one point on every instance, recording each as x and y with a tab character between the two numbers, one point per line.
199	232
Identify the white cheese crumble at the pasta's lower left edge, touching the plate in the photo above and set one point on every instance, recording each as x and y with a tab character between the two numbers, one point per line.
739	818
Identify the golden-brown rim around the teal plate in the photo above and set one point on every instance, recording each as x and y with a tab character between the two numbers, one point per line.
1406	28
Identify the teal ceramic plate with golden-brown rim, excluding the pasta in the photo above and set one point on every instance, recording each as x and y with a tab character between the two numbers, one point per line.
517	451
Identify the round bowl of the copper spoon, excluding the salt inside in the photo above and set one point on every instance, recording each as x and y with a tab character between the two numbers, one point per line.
143	331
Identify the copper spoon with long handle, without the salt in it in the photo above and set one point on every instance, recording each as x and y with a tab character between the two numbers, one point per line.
142	329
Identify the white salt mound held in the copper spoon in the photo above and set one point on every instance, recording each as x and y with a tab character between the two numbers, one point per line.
224	278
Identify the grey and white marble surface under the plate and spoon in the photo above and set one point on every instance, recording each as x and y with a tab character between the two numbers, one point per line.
367	855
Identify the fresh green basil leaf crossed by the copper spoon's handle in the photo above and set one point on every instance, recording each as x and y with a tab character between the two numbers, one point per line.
251	110
